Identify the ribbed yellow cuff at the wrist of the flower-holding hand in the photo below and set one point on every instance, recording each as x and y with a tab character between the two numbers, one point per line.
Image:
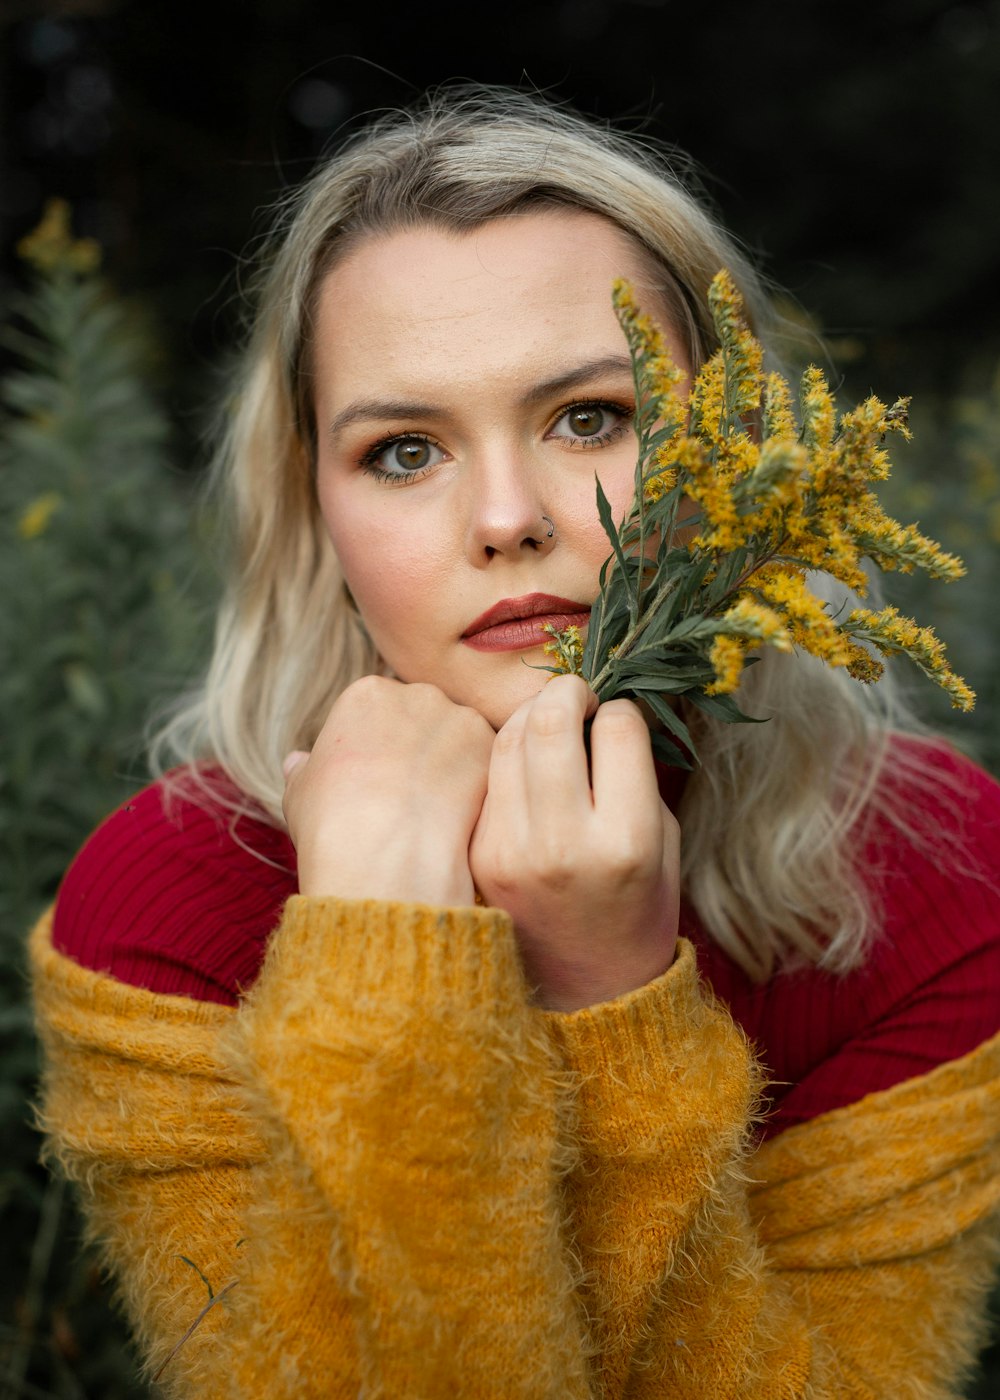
645	1028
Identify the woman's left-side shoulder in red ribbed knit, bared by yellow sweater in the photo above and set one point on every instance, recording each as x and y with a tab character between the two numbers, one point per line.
177	891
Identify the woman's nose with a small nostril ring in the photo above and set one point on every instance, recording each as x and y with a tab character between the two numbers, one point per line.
508	513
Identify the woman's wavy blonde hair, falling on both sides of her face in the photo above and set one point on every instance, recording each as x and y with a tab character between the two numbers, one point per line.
771	818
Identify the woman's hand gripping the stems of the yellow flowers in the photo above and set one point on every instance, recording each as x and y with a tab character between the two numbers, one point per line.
588	867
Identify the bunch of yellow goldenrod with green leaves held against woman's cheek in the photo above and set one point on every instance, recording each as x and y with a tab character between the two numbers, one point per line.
737	500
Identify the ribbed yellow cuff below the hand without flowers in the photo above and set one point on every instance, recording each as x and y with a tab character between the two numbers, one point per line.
412	954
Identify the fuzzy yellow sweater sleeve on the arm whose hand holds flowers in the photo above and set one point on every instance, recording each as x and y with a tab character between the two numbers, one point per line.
848	1259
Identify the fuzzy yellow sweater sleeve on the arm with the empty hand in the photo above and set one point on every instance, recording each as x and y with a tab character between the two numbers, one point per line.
362	1167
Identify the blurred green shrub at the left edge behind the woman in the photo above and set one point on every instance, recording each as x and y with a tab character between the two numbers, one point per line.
100	618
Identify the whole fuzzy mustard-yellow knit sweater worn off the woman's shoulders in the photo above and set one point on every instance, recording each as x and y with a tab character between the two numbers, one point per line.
401	1181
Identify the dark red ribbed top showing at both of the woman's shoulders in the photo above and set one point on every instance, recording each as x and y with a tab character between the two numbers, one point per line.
177	898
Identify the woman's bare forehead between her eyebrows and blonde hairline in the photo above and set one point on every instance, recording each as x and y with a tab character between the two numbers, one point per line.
534	276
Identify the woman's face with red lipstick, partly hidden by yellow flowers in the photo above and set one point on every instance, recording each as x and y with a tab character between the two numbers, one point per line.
468	388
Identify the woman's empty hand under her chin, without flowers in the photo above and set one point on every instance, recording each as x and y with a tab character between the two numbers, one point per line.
386	803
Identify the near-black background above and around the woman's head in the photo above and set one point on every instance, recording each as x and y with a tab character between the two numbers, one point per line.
854	148
